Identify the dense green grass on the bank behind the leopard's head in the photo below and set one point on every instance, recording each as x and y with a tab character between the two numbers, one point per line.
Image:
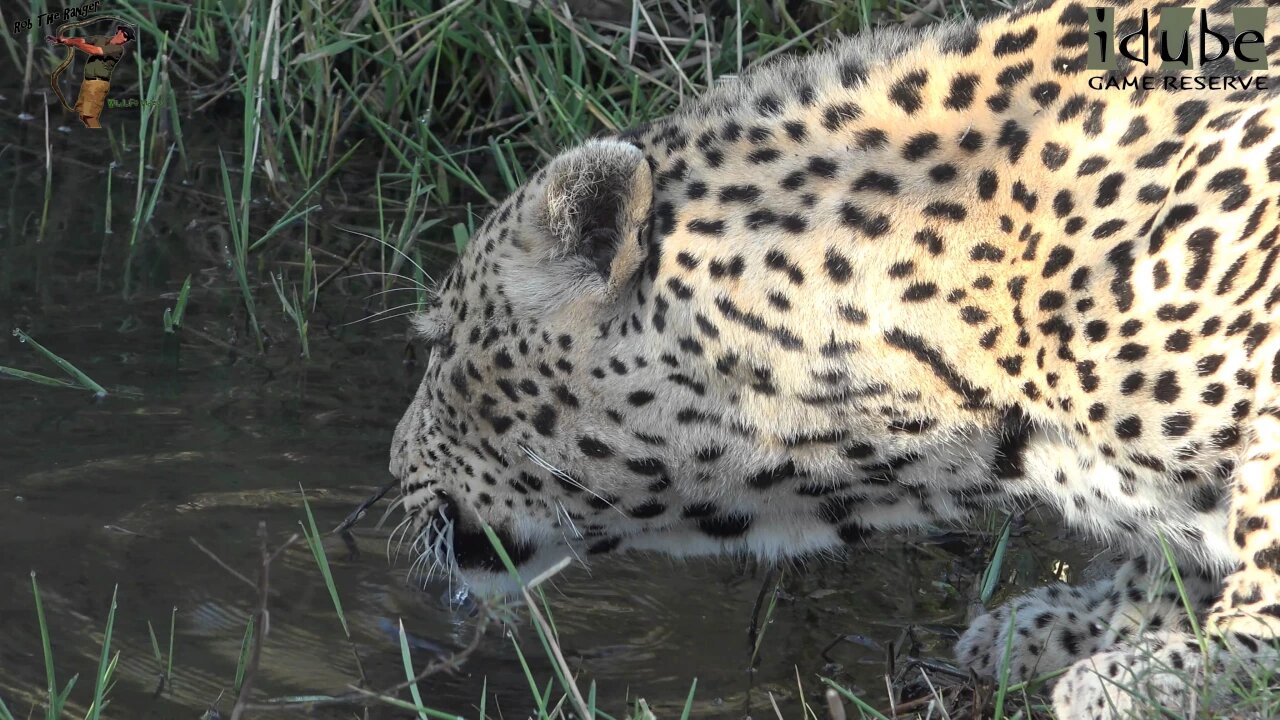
435	110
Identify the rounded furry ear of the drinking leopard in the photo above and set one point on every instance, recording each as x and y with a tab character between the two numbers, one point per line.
598	202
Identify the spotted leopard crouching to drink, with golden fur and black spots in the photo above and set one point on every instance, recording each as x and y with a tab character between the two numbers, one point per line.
907	281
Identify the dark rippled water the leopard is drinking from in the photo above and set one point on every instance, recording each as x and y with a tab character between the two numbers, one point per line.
203	445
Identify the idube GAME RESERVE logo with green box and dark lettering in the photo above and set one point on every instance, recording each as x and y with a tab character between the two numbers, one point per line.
1178	48
